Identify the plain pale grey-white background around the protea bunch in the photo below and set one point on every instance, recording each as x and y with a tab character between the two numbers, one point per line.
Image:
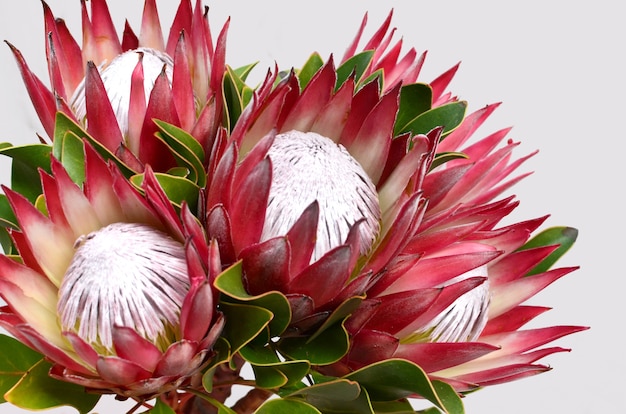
559	69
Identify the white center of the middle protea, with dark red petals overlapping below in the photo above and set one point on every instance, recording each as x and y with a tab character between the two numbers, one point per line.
309	167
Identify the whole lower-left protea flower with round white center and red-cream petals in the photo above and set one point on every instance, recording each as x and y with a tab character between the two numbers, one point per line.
110	284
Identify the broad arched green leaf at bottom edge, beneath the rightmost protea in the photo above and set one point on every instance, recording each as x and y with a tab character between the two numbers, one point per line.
395	379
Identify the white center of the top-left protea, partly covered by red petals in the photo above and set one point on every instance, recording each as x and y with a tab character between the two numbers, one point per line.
116	78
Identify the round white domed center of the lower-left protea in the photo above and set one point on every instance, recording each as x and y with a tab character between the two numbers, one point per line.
127	275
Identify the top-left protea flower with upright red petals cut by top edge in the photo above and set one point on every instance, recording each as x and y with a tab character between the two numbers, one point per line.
116	88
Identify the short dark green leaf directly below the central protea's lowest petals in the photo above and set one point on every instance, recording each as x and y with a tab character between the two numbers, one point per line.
326	348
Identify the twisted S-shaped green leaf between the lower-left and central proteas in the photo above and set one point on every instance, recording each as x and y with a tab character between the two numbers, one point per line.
230	283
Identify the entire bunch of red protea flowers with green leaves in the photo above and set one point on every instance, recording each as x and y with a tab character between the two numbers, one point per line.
336	228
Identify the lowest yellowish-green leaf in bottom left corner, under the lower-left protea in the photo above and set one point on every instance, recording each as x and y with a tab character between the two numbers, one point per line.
36	390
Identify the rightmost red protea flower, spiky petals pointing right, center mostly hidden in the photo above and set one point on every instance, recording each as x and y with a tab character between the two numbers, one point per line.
414	310
